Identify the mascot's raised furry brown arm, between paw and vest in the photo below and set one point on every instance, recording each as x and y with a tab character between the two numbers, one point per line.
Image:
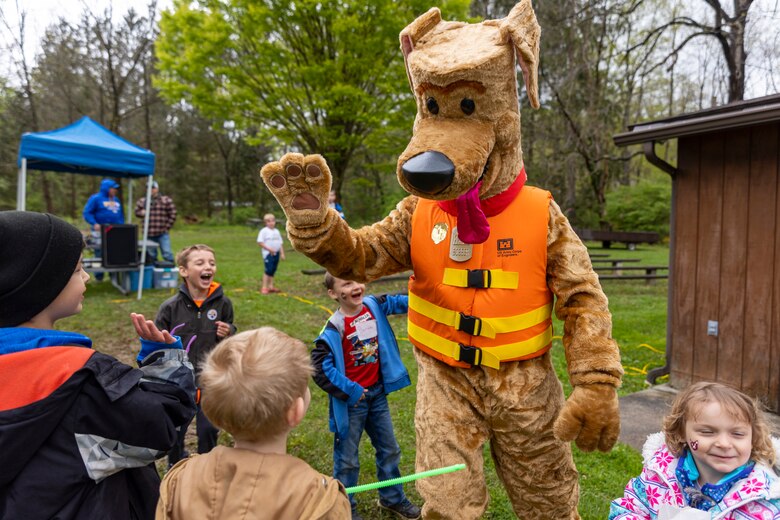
364	254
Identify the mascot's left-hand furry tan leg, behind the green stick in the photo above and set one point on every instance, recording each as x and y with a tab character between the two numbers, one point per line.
450	426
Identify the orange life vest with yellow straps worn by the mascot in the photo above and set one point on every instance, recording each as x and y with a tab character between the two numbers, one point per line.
482	304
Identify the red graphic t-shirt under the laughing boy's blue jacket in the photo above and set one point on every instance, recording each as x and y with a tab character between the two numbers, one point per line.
361	348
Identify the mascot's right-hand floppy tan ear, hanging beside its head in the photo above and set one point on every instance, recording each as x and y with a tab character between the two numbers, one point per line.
522	30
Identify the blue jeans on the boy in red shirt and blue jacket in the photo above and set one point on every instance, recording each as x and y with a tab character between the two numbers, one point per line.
371	414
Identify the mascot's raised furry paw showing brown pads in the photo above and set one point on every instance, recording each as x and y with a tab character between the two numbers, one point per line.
301	184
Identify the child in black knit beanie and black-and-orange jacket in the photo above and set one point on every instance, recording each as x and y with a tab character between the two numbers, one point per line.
79	430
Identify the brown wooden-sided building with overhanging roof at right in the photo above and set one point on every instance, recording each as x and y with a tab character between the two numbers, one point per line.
723	319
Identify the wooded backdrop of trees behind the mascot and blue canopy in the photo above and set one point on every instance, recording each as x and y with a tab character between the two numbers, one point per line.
218	88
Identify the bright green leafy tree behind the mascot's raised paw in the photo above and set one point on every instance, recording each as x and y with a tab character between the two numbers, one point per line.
319	77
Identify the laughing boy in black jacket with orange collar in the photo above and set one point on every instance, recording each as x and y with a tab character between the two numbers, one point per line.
202	316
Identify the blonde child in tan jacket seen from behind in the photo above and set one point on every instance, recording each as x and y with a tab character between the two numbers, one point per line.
255	386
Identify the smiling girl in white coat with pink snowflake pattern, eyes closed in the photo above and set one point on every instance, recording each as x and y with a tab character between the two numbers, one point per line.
713	459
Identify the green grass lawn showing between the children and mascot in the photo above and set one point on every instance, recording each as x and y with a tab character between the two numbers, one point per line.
639	326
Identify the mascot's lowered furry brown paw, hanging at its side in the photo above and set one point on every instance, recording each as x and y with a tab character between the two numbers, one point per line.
590	417
